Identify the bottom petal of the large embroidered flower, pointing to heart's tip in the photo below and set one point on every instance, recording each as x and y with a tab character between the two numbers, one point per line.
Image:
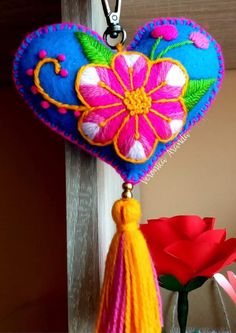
131	148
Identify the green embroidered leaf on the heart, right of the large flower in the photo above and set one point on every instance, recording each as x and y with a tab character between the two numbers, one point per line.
195	91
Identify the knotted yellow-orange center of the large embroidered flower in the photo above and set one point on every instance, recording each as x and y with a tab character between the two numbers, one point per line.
137	101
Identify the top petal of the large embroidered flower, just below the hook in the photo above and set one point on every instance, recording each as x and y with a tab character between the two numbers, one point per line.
132	69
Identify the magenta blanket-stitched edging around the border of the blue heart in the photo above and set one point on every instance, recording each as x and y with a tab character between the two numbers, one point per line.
135	42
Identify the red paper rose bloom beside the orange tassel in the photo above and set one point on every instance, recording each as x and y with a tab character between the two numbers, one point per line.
187	247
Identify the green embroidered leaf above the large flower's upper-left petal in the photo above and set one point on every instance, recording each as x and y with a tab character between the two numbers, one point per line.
95	51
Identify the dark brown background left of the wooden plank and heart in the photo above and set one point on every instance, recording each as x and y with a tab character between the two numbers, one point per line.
33	278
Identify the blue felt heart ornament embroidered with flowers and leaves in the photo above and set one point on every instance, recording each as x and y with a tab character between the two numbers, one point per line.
126	107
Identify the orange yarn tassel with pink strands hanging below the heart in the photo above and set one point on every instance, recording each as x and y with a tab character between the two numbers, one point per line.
129	301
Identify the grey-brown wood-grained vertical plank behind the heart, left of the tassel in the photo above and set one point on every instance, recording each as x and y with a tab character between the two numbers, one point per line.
82	222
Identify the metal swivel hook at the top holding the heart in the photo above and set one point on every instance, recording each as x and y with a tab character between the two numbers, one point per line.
114	29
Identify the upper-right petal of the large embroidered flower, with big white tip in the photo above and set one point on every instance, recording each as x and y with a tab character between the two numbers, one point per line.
166	80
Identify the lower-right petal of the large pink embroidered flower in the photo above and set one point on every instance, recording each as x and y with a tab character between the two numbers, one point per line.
167	129
